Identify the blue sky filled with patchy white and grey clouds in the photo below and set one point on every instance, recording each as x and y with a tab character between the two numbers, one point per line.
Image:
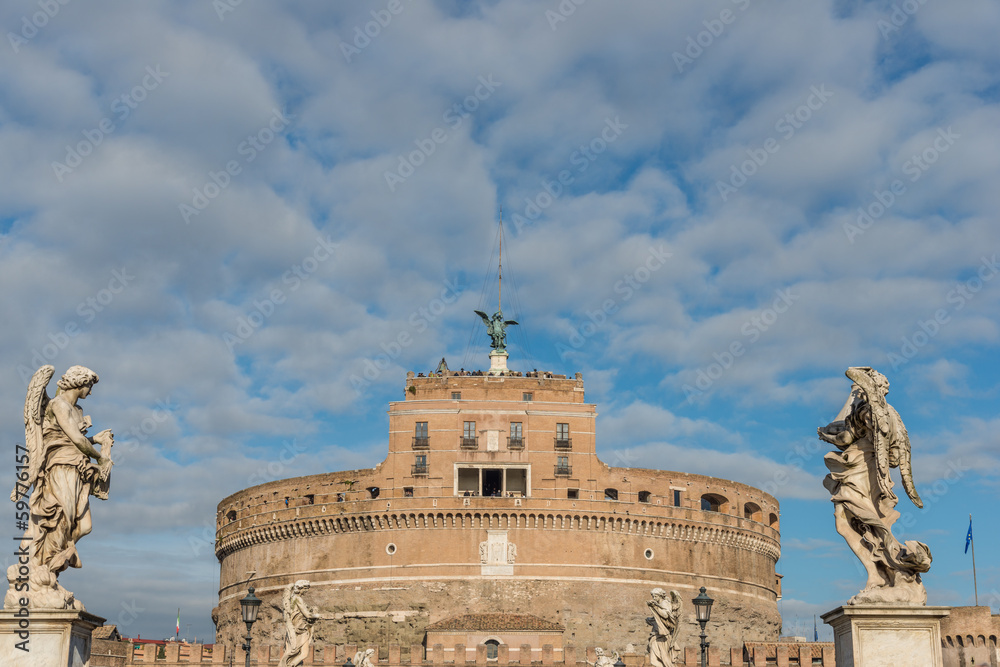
251	219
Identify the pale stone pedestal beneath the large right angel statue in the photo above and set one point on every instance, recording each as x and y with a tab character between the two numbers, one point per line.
886	636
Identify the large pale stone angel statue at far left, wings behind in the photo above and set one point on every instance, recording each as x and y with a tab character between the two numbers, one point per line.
58	466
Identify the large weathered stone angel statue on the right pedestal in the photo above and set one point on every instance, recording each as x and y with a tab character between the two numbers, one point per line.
870	439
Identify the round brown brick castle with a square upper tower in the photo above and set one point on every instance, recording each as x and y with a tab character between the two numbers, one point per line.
492	500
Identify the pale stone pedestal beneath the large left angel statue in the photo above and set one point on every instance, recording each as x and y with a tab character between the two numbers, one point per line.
55	638
